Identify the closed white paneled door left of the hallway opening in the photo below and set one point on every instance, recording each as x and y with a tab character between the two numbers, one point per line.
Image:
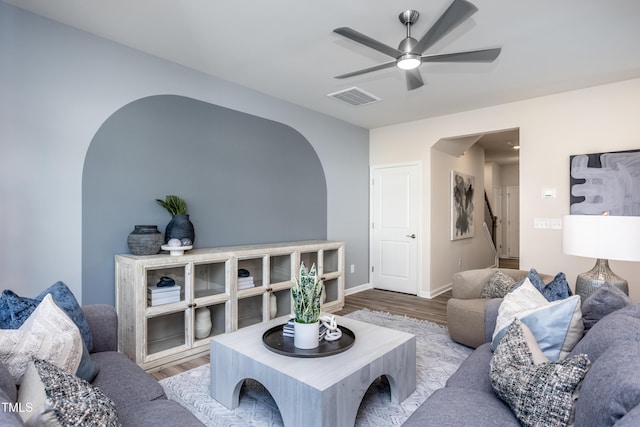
395	216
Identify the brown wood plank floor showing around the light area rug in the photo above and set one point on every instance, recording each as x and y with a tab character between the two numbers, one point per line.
433	310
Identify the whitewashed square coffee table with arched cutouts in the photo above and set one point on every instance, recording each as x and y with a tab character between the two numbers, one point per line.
323	391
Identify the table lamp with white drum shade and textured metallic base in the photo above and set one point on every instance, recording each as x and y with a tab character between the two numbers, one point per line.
603	237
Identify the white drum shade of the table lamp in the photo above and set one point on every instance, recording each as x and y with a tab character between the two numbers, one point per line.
602	236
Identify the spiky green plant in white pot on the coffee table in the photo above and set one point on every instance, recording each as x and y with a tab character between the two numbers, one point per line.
306	294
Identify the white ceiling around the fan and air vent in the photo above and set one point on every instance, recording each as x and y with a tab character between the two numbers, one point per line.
287	49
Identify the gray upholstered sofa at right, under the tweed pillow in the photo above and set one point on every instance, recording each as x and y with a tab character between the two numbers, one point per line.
609	395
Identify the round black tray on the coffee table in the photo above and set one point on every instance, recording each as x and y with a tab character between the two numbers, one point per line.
278	343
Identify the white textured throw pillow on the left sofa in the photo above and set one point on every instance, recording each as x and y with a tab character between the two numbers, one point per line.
47	334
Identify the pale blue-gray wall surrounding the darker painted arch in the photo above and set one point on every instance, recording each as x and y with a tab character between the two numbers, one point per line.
59	86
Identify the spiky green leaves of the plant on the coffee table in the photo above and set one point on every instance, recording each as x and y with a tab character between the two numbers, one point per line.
306	295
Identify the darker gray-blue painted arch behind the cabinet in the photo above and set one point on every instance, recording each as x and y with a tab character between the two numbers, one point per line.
245	180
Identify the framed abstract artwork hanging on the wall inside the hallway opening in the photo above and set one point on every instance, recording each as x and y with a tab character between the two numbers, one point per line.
462	189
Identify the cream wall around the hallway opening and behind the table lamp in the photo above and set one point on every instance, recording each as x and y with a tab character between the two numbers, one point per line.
597	119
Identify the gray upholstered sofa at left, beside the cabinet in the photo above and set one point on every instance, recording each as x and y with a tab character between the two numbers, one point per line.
140	400
